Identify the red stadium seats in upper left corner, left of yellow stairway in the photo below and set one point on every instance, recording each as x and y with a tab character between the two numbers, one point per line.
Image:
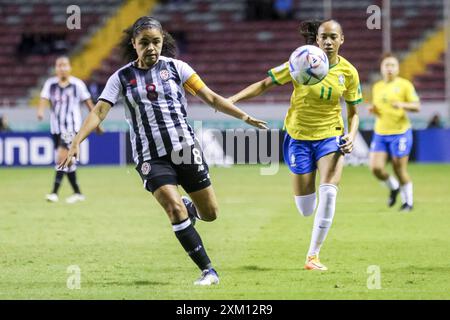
23	63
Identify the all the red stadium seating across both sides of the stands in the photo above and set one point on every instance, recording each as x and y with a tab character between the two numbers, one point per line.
228	51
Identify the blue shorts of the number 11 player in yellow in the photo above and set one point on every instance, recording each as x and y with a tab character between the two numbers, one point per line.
301	156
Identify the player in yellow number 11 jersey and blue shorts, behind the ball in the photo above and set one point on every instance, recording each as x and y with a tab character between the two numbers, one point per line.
315	129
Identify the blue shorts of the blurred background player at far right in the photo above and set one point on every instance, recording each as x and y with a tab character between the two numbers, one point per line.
397	145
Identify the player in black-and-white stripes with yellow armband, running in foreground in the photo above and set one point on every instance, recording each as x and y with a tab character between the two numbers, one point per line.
154	87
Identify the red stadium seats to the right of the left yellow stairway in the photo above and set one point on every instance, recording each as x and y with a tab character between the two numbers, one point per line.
230	52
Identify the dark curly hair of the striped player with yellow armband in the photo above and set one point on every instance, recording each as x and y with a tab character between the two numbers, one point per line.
169	48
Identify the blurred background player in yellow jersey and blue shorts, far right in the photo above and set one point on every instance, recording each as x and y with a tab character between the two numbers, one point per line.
392	98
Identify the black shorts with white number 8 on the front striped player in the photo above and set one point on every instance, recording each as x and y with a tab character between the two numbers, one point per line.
188	169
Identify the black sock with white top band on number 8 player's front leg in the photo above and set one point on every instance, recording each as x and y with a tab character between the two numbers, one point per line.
192	243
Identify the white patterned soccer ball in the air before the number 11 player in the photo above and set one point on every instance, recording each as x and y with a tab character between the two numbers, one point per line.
308	65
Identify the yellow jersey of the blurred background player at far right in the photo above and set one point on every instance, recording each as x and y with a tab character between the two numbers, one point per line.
392	120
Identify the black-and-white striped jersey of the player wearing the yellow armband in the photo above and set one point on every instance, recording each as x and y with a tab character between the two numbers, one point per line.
155	105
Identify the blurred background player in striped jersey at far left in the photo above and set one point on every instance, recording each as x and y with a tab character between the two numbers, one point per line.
64	93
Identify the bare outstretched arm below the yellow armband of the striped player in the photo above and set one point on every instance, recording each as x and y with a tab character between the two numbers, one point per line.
224	105
